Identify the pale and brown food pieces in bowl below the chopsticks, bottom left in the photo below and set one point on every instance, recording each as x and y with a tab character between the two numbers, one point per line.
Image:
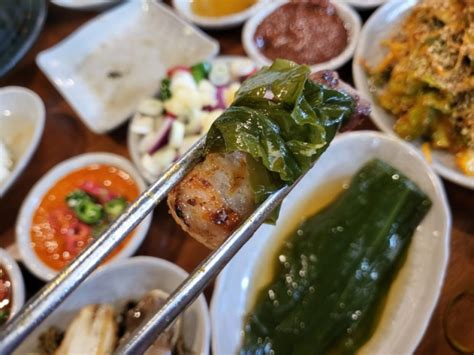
99	329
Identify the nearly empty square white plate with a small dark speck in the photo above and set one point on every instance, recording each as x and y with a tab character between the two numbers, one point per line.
108	65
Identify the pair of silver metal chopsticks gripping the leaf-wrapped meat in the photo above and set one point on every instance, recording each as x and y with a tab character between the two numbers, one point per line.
57	290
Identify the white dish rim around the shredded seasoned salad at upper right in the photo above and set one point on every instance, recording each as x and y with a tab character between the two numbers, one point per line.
381	25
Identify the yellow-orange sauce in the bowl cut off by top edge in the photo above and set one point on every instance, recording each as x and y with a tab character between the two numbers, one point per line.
218	8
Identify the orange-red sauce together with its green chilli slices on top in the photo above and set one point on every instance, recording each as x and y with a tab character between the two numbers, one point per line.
77	209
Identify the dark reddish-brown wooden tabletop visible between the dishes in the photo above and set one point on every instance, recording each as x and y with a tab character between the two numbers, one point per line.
66	136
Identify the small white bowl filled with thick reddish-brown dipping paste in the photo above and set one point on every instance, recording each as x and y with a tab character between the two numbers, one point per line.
319	33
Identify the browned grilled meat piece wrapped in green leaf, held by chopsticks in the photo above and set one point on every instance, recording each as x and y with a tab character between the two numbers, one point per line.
279	123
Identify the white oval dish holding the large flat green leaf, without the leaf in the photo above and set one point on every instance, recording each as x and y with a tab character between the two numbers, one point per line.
415	291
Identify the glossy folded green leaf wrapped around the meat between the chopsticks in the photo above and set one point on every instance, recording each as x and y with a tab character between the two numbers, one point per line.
283	120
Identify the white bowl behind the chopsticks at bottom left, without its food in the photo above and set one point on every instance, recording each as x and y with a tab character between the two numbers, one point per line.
127	280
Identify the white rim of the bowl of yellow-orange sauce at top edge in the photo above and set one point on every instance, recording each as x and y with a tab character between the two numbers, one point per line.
183	7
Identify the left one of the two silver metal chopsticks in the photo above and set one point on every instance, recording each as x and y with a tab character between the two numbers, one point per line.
56	291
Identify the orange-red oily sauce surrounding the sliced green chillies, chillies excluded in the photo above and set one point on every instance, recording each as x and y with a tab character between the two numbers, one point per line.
47	231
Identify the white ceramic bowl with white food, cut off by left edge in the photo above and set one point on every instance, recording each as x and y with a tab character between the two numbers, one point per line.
22	117
